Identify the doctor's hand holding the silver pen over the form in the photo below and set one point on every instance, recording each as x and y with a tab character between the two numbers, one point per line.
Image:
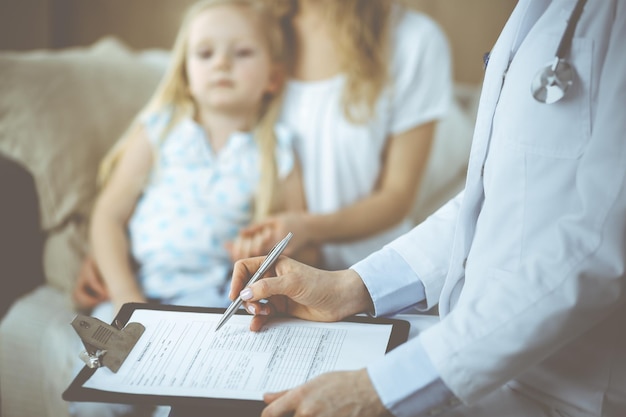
299	290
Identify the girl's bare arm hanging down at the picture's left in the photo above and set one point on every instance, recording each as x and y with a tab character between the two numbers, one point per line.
112	211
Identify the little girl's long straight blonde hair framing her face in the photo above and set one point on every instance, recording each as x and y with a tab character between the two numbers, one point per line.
173	93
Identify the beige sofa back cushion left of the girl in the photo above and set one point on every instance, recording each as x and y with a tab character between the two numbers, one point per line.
60	111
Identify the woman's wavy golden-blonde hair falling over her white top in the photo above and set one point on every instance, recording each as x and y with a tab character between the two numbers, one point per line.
362	33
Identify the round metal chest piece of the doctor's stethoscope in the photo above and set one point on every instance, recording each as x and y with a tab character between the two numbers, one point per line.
552	81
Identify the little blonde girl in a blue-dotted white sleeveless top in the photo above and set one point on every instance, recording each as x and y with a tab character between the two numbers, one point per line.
202	160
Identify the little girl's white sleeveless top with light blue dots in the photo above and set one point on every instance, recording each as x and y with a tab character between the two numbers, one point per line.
195	202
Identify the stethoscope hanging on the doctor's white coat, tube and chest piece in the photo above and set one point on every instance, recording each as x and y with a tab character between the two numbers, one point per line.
552	82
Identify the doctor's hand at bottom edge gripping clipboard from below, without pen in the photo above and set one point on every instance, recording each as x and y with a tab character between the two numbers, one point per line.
334	394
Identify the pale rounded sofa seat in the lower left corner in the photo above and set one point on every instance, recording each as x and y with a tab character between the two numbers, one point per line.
38	354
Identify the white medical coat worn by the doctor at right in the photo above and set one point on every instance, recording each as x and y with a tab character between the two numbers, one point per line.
528	263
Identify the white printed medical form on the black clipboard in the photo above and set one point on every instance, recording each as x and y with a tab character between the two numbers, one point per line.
180	354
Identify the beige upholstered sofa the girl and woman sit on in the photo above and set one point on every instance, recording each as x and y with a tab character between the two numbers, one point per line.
60	111
